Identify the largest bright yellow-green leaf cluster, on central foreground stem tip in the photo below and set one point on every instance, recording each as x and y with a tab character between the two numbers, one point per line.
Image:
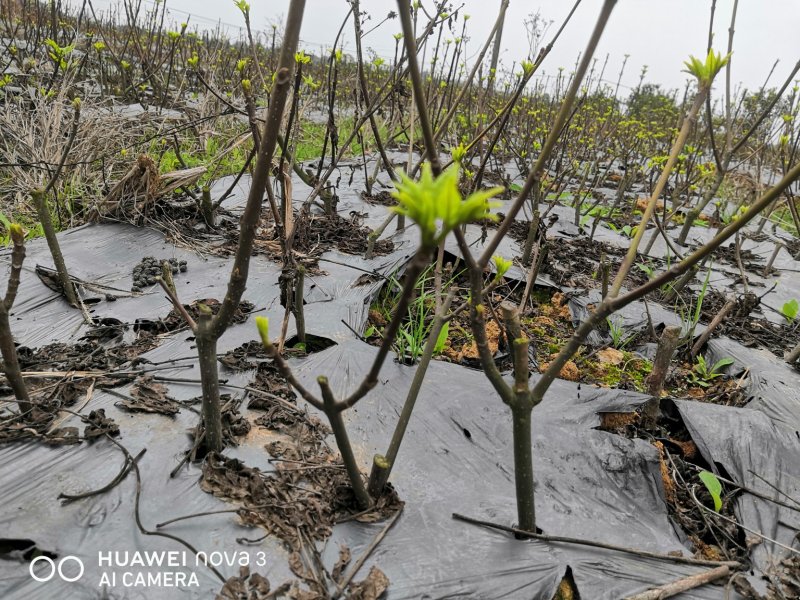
431	201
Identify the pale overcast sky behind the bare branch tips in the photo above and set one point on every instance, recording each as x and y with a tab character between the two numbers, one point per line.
658	33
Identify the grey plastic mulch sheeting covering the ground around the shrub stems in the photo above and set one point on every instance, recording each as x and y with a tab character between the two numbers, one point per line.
457	455
